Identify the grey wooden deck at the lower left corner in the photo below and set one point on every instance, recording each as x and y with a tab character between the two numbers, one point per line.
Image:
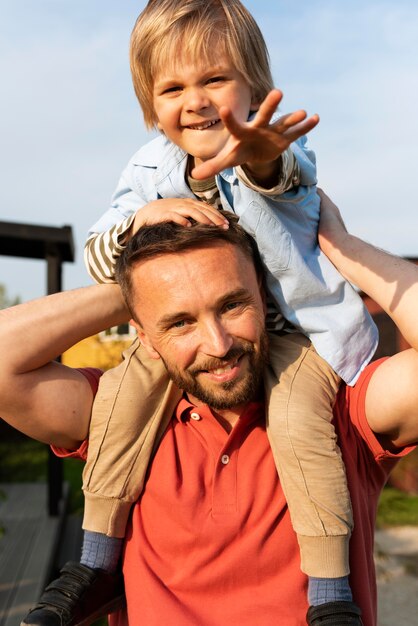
28	548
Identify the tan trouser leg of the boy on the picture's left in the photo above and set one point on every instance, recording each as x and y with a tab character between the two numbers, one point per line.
134	403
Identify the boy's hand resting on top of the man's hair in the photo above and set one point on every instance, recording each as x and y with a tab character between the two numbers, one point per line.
178	210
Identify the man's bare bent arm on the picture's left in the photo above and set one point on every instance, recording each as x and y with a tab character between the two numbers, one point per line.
44	399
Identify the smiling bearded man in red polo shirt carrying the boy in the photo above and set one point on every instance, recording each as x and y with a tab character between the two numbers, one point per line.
211	539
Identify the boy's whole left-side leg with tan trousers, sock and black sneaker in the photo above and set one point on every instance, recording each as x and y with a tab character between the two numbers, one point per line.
133	406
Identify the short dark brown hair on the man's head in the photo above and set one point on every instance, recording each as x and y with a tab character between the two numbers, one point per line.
170	238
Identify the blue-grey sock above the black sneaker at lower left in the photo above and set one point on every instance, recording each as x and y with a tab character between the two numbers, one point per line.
100	551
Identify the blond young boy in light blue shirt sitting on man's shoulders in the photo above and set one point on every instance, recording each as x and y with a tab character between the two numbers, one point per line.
201	73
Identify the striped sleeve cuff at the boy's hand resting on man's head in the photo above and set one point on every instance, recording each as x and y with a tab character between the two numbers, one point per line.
103	249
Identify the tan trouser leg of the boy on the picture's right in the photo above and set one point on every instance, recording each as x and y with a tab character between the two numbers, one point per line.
301	390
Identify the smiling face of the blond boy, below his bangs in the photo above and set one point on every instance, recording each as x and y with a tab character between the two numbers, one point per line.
187	98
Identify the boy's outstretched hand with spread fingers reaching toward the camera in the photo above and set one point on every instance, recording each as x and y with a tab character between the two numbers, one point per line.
258	143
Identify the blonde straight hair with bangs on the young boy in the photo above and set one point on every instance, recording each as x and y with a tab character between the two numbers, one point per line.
199	29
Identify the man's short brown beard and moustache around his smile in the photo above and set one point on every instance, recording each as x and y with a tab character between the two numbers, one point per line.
232	393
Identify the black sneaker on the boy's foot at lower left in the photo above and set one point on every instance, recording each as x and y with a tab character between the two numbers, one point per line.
78	597
